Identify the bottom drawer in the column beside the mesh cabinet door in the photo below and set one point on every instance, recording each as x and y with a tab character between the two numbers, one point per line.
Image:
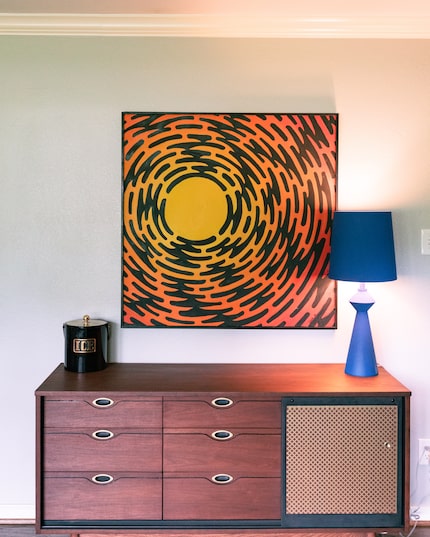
201	499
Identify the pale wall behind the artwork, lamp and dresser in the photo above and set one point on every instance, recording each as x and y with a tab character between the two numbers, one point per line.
60	202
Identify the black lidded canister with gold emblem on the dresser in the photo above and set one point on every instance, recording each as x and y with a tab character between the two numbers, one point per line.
86	344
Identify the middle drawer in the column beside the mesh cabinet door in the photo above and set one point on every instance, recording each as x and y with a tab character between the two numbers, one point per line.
251	454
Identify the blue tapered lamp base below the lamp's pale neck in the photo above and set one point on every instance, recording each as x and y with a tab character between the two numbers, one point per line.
361	360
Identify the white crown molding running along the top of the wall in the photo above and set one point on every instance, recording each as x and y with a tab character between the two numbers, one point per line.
215	25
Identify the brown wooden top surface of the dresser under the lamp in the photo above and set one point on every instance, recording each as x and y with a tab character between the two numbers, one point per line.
169	378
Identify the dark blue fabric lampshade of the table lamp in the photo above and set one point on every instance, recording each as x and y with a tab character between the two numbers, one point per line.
362	247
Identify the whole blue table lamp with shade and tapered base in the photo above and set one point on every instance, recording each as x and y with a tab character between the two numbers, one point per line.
362	250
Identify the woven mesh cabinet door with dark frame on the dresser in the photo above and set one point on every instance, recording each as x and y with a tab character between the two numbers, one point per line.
343	462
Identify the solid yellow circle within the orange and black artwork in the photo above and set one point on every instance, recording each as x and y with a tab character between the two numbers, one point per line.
196	209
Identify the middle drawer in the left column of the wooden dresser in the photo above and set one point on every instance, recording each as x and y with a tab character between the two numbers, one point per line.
83	450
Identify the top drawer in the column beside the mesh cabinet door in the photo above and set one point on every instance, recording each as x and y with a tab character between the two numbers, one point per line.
229	413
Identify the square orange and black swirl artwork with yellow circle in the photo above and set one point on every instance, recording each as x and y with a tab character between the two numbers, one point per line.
227	220
